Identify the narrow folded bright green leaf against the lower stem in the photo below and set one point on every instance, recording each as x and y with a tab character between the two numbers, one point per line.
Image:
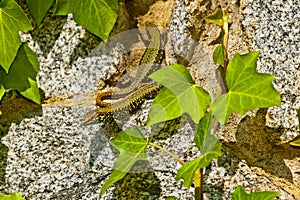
209	147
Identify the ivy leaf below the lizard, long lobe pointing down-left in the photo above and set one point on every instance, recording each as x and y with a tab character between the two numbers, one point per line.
132	147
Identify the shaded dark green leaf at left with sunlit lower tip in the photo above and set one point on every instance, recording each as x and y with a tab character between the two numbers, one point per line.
22	74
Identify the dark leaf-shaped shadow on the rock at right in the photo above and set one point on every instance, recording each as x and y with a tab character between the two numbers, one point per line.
260	146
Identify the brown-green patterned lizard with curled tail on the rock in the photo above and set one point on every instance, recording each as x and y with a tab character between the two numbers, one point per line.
121	98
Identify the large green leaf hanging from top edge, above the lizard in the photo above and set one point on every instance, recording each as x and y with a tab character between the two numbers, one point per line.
97	16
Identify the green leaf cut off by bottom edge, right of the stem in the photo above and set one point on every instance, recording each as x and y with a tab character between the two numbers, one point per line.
240	194
